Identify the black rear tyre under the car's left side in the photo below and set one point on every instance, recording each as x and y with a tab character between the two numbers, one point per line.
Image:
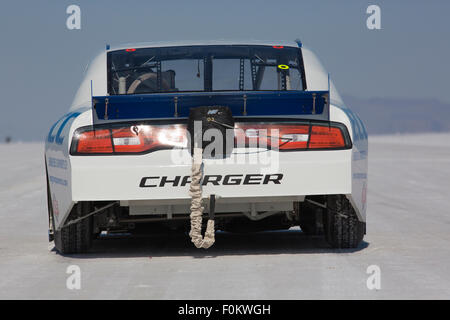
77	237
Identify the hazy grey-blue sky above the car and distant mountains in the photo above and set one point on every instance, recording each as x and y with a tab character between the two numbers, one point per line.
42	62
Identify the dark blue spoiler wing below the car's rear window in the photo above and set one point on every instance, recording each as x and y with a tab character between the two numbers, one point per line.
314	105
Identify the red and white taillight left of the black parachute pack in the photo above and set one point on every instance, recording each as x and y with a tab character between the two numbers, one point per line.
130	139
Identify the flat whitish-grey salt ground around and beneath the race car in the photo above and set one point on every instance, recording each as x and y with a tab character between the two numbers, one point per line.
408	238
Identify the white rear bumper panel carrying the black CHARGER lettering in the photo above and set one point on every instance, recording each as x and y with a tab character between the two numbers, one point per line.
155	177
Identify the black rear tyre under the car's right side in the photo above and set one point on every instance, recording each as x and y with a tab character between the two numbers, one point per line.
342	227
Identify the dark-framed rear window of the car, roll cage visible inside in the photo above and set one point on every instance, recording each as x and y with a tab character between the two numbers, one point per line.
205	68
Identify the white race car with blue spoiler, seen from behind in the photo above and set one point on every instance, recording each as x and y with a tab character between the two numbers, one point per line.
252	135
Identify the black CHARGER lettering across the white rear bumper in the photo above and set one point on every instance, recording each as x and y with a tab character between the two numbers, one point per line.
216	180
